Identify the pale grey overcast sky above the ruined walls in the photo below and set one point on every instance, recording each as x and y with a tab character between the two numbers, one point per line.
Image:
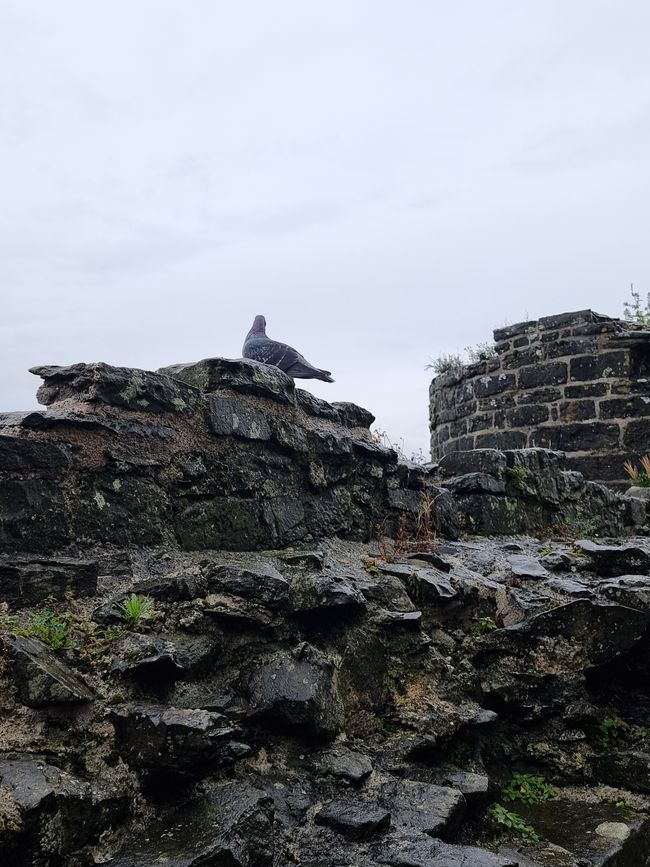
384	181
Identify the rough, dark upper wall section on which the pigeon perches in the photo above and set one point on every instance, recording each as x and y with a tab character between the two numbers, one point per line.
221	455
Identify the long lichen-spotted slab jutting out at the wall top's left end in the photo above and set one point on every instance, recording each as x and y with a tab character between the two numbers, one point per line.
126	387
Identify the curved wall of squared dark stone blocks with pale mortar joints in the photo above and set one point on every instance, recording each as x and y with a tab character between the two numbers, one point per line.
576	382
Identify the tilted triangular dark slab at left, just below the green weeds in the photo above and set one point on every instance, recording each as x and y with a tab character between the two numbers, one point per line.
42	678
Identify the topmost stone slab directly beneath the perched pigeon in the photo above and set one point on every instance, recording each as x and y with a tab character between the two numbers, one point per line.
242	375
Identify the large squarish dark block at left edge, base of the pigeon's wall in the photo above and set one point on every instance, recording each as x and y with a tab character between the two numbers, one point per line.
32	516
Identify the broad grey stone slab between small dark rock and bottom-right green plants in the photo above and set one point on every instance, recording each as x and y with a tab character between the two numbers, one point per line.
434	810
